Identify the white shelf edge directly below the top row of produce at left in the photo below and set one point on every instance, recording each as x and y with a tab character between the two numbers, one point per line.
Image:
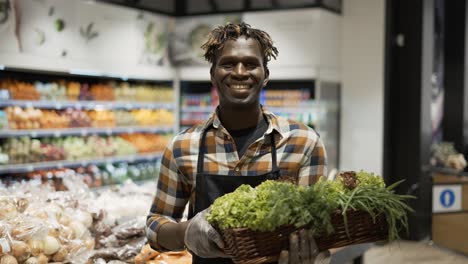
86	104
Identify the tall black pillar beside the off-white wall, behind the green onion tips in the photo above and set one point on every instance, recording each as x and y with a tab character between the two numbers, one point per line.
407	125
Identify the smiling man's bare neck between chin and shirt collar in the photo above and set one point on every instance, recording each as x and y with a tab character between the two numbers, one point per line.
237	119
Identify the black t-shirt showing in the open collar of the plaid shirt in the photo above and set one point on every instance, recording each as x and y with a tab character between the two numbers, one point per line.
244	137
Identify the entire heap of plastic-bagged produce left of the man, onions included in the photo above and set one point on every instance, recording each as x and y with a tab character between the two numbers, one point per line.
41	225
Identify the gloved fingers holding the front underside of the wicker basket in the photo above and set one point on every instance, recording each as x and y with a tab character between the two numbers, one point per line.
303	250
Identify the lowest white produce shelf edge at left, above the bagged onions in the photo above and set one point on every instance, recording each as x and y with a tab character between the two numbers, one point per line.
29	167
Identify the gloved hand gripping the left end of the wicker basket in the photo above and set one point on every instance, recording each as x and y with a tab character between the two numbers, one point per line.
202	239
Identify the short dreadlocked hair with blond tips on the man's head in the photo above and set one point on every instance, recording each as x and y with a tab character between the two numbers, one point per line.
220	35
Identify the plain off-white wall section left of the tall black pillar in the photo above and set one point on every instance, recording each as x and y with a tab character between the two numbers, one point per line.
362	112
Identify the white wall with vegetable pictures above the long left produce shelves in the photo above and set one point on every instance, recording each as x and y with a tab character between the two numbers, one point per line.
129	43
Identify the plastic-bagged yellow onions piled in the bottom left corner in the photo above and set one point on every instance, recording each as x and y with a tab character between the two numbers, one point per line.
41	226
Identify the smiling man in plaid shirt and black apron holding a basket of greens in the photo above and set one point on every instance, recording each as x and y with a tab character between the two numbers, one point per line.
241	143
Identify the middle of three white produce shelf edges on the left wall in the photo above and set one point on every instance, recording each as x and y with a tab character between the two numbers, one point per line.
83	131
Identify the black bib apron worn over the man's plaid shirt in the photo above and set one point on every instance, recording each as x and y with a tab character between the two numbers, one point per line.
211	186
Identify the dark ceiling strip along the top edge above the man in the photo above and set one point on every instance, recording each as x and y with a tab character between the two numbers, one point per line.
204	7
